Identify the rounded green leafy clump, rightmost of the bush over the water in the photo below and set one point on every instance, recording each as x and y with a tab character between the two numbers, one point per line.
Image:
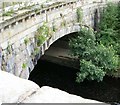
104	57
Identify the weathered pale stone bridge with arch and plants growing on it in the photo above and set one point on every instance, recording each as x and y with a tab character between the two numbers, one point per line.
17	56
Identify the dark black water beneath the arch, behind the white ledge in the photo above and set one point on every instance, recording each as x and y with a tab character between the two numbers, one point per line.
49	74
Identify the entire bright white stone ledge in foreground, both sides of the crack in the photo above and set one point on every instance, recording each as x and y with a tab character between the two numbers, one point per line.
16	90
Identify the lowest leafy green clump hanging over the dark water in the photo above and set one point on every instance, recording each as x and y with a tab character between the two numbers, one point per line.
89	71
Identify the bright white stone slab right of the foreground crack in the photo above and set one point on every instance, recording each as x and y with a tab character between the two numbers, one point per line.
52	95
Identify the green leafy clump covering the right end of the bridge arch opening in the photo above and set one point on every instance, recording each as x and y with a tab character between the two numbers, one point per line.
84	40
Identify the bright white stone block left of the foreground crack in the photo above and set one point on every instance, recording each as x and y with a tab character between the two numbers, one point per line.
12	88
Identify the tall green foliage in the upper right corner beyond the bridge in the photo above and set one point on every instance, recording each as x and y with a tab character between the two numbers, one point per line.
110	27
